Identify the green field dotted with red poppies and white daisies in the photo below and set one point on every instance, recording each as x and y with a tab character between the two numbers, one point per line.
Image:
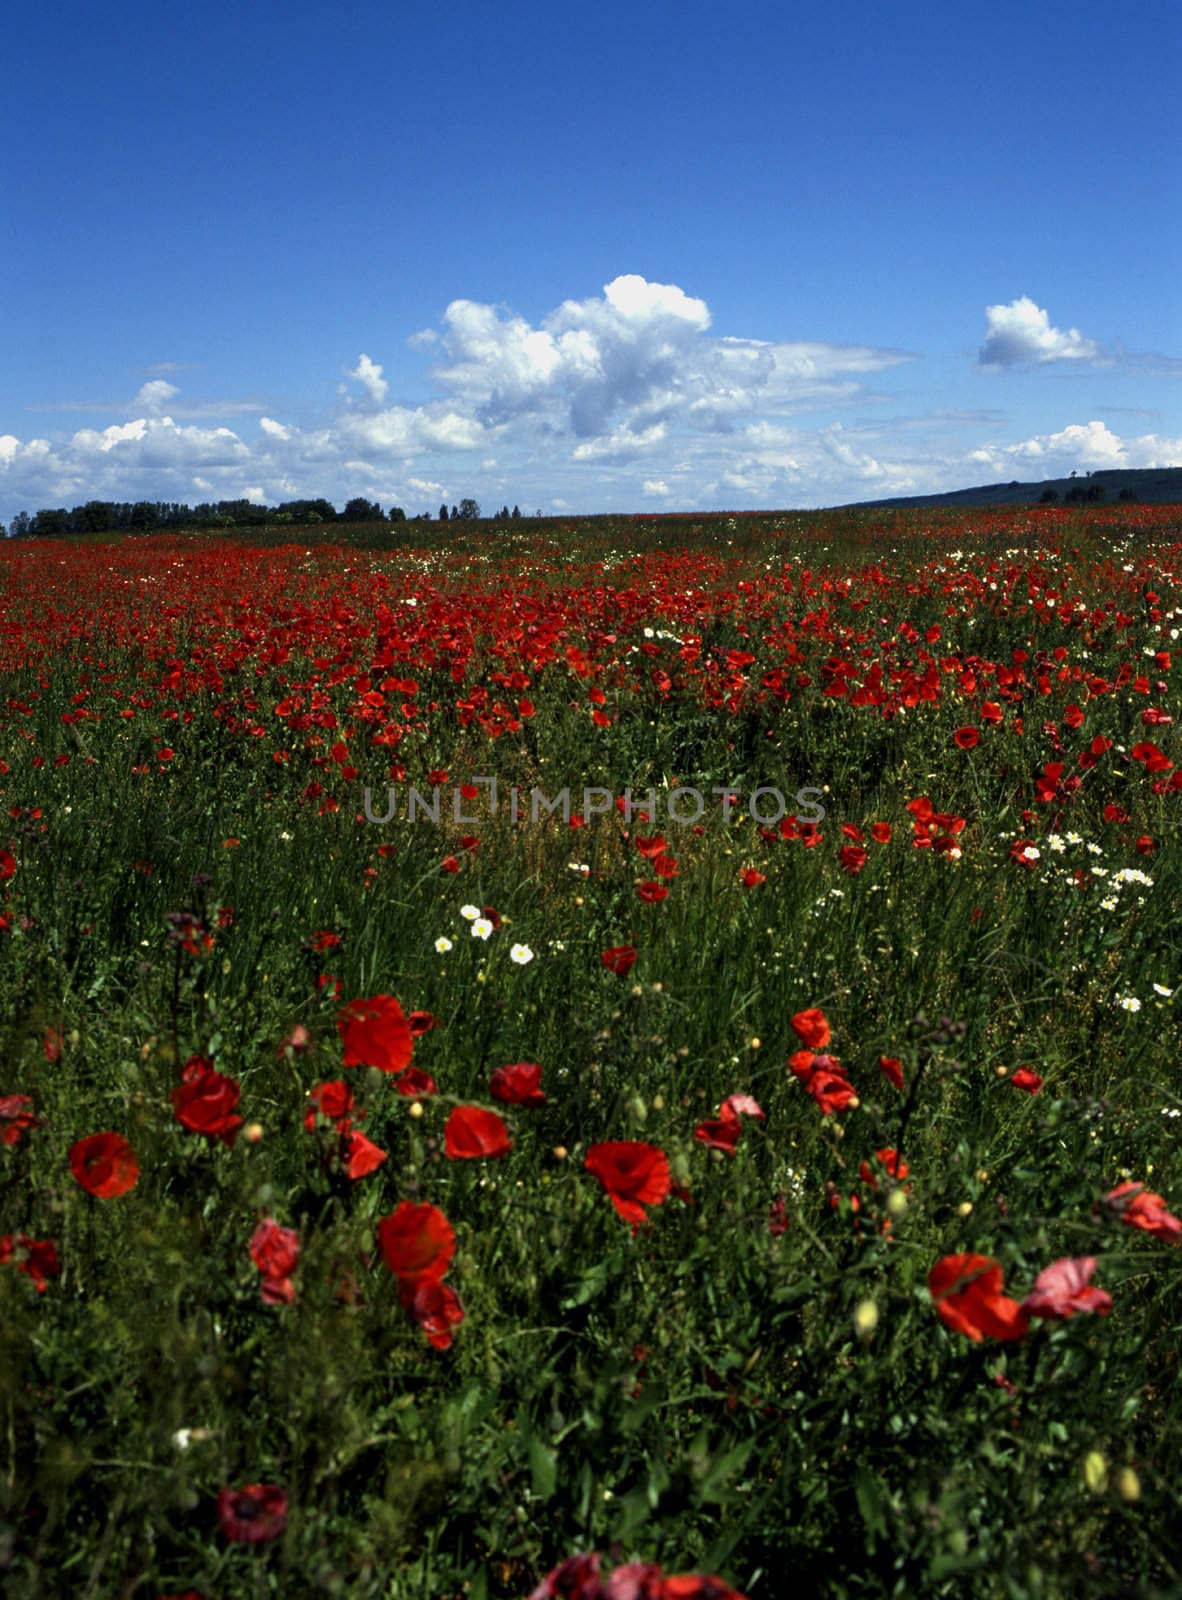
756	1177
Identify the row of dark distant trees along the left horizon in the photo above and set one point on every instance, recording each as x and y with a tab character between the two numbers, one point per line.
158	516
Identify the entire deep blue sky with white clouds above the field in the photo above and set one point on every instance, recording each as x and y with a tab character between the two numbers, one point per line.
642	257
